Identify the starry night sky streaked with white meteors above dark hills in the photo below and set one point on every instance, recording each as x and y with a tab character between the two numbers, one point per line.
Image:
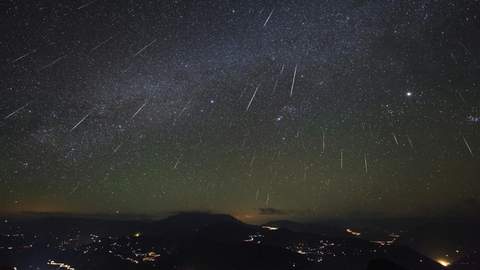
313	109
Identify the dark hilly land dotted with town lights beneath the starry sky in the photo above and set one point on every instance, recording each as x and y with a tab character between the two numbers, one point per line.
207	241
